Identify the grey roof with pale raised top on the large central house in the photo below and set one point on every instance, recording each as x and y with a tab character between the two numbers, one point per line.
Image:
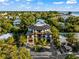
40	25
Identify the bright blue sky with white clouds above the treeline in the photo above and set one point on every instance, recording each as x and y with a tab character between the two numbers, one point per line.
39	5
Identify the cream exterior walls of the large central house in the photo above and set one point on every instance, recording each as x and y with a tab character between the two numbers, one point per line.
35	34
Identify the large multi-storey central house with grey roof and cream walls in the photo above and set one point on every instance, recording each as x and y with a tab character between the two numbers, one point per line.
39	30
